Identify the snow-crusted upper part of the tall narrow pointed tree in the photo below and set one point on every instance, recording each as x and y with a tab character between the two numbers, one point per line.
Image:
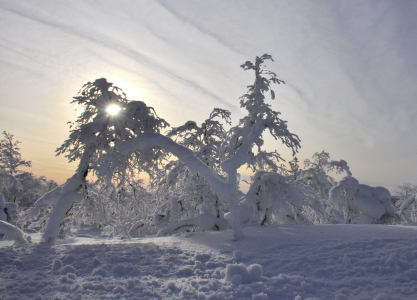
238	147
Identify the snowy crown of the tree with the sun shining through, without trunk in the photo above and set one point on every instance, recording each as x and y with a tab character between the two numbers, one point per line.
97	131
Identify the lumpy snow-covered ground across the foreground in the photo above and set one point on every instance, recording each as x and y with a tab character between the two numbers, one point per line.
275	262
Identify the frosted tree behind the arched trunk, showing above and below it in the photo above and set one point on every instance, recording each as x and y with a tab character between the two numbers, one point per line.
189	194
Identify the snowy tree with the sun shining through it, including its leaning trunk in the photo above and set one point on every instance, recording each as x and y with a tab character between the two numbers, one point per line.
94	140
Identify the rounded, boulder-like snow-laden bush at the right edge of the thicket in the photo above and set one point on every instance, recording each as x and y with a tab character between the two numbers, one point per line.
361	203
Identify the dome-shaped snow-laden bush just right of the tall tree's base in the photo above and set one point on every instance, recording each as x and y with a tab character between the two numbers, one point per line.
275	199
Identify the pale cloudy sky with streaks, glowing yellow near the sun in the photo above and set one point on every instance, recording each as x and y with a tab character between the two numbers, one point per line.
350	70
